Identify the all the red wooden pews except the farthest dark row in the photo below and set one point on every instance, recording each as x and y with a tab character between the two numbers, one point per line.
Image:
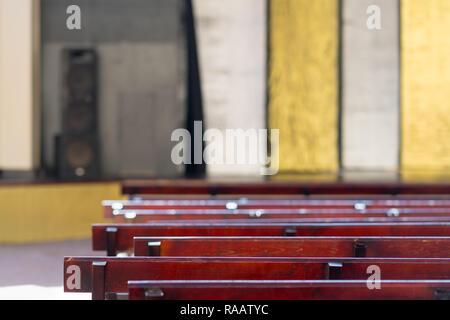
298	249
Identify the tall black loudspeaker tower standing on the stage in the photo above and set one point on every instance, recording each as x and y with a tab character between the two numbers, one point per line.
77	155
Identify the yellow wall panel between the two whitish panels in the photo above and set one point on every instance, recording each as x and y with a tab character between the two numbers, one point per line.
304	83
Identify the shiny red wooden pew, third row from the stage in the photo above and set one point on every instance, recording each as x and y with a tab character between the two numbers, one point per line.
146	215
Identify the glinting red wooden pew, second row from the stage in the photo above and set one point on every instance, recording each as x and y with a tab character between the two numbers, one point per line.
208	204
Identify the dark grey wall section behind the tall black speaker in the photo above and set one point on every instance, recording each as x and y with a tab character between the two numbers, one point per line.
141	82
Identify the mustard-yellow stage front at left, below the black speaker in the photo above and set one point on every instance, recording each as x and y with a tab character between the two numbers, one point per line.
46	212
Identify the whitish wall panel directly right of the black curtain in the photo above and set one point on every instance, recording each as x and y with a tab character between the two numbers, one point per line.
232	41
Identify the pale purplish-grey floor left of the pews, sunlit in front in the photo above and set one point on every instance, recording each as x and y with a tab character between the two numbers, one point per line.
35	271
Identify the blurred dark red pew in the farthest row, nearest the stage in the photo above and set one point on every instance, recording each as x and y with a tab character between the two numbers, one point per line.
270	187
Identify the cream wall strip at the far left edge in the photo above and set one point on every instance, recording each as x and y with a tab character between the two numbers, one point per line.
19	91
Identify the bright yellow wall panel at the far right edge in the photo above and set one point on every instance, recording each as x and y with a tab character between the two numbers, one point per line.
425	85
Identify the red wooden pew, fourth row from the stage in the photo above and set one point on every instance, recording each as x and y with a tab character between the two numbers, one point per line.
119	237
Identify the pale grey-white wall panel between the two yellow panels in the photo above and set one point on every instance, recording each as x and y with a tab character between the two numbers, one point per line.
370	87
